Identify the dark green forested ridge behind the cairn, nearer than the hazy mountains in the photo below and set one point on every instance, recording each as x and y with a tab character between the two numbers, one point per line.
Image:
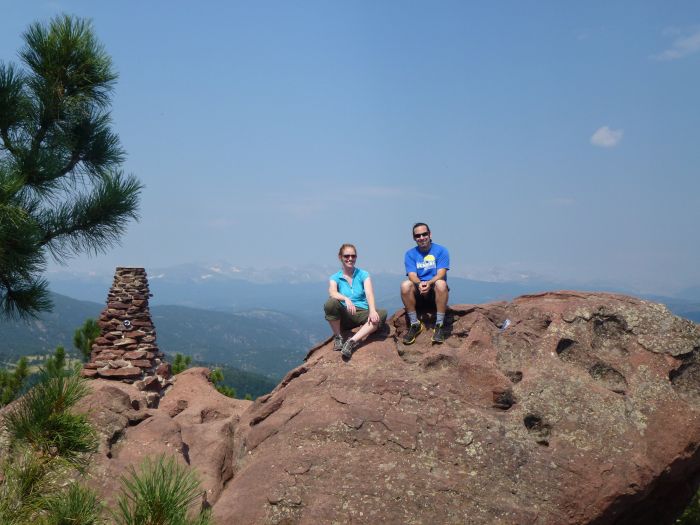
262	341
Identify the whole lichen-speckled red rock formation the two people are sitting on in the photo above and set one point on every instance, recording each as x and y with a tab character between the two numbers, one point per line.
558	408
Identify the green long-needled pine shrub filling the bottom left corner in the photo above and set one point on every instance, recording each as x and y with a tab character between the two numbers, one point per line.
47	441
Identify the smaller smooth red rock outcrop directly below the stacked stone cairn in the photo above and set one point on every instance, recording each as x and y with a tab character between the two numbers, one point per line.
193	423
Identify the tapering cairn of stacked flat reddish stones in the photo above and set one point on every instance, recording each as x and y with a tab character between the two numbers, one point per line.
126	349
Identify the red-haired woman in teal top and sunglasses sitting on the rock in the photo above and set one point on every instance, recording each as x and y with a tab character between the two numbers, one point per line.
351	303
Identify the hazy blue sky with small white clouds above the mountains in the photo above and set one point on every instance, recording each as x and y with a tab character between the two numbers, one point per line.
557	139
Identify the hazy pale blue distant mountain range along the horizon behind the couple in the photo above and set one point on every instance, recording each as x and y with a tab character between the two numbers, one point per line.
301	292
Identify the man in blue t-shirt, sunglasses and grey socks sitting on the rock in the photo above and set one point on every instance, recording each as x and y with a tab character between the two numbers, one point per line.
426	268
